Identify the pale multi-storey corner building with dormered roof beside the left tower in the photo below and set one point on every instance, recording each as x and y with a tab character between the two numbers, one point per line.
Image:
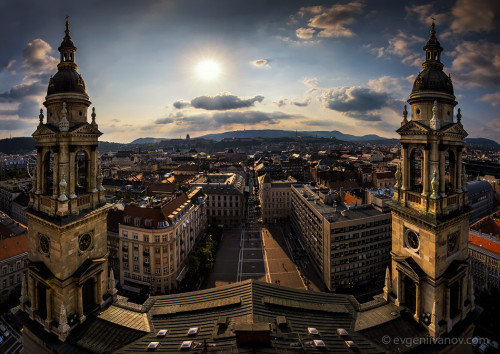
155	240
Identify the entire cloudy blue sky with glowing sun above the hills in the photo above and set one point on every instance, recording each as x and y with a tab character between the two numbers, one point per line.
167	68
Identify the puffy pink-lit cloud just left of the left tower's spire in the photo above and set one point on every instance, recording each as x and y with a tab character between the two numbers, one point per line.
37	58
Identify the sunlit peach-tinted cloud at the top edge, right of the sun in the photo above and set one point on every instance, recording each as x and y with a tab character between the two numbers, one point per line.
331	21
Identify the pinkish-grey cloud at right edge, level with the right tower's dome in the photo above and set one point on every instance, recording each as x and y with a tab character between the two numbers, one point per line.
476	63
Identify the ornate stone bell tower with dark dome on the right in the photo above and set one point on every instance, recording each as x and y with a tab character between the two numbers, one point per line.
430	274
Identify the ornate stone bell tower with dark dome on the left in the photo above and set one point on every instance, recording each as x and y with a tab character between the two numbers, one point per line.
67	250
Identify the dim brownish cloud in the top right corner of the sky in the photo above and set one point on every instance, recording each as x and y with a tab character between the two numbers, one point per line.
475	16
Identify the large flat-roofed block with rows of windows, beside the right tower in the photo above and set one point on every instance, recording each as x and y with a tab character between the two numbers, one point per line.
349	246
